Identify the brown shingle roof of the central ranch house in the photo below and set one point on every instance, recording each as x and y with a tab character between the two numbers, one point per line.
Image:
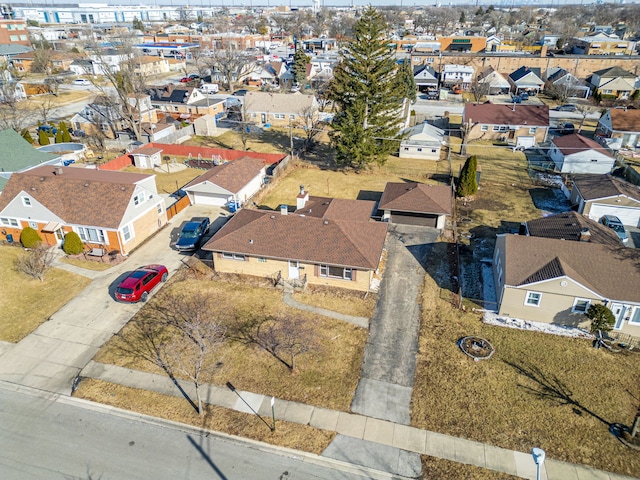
352	243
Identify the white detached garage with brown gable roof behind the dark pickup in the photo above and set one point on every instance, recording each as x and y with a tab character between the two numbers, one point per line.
237	181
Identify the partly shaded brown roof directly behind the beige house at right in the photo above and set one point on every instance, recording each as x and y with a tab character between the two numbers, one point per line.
569	225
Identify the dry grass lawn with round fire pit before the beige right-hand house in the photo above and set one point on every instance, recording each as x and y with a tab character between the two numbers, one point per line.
542	390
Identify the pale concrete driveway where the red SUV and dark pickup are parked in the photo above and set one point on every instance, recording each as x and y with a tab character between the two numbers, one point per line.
52	356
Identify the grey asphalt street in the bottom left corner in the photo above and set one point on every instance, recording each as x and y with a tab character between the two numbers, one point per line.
49	437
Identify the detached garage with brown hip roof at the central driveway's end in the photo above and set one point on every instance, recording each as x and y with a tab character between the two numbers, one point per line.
413	203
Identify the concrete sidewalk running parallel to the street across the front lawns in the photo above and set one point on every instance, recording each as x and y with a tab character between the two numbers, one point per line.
370	430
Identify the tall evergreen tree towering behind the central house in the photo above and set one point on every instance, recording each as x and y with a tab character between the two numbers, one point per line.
369	92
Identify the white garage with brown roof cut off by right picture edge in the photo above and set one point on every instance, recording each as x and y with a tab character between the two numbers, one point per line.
599	195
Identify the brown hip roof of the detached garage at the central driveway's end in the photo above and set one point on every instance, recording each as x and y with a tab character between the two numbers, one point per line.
416	198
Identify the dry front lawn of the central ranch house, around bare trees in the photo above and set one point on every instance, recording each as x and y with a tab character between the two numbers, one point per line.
326	376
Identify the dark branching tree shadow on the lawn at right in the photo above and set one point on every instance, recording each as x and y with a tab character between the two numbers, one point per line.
550	388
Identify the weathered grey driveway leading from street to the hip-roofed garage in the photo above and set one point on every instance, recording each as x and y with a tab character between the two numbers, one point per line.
388	370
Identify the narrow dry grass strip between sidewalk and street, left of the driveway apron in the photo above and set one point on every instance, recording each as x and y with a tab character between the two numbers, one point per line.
290	435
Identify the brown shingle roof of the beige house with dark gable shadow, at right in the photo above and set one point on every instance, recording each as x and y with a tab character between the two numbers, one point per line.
612	272
